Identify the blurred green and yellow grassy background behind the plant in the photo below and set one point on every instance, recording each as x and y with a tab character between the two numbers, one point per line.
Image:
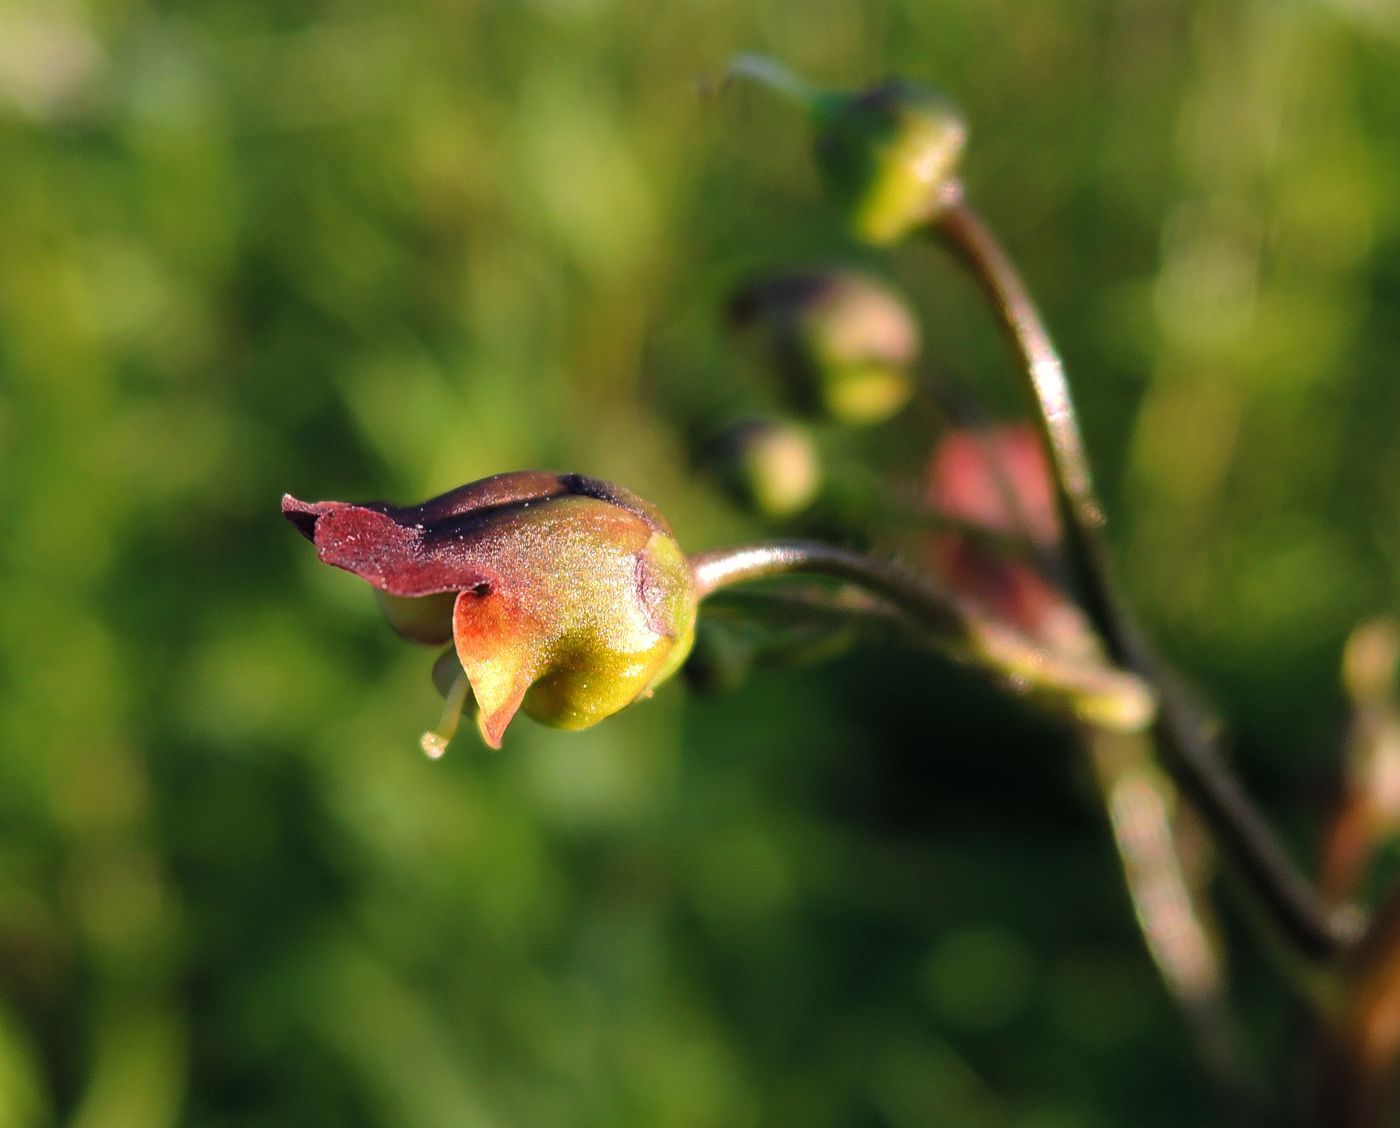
365	250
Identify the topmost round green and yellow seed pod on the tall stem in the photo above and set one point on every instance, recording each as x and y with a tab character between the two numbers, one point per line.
888	157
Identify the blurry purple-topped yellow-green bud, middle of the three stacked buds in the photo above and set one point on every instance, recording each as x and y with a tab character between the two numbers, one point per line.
842	342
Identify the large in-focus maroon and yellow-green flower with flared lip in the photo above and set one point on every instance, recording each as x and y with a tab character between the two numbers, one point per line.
563	595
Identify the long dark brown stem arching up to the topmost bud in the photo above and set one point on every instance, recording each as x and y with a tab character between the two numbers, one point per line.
1182	731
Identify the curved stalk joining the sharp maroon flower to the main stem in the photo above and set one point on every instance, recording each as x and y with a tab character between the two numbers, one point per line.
1091	693
